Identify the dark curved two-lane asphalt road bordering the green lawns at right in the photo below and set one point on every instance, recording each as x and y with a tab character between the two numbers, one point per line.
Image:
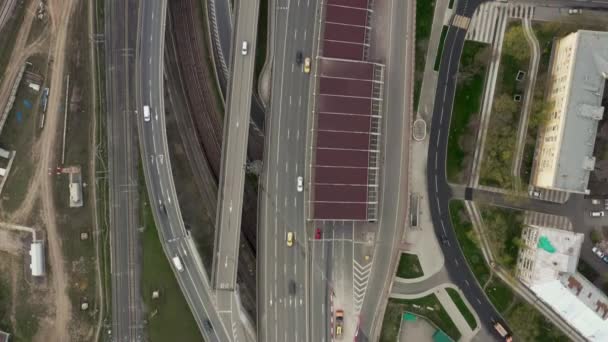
438	188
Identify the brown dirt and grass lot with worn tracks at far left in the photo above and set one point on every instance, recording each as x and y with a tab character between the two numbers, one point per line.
51	311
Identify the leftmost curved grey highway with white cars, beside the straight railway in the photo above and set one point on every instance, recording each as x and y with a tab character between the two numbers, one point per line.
157	171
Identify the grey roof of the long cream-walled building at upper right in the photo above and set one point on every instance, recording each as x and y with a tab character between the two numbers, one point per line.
584	110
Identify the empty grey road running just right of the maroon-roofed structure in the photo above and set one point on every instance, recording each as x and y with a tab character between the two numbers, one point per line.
395	167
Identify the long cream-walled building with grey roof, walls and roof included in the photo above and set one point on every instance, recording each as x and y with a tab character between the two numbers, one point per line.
566	140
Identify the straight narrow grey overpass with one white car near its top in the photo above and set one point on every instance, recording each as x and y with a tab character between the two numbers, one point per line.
234	148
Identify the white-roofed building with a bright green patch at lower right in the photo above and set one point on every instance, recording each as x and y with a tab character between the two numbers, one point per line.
547	265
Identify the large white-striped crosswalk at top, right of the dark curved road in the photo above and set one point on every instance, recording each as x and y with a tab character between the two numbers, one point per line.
492	16
